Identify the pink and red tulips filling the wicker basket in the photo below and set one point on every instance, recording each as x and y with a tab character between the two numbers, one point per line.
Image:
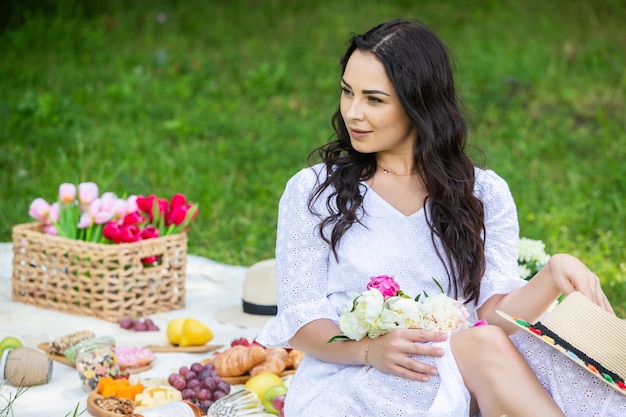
81	213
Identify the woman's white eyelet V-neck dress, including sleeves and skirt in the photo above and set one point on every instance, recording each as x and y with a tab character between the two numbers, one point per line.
312	285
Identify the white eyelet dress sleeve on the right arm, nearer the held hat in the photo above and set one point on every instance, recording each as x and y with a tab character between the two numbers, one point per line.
501	238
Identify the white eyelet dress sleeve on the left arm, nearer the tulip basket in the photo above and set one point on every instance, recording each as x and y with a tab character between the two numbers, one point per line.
301	263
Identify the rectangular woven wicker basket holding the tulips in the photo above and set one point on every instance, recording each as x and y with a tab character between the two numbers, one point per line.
106	281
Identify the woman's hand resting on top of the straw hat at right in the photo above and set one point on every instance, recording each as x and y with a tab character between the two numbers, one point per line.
569	274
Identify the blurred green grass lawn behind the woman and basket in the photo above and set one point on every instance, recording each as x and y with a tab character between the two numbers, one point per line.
223	100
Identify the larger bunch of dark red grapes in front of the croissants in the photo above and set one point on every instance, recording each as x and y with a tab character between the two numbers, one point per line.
199	384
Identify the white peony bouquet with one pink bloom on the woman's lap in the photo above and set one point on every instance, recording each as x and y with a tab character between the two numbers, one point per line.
383	306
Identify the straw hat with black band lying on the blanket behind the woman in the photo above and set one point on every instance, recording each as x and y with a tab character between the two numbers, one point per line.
258	300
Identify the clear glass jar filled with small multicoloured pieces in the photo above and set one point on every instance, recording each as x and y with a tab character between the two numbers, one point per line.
94	361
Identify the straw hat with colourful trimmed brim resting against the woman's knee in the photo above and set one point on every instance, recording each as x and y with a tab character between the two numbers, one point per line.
591	337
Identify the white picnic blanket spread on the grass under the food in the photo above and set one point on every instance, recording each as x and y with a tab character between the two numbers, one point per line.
210	286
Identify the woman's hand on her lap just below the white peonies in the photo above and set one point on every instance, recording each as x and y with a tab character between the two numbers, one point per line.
391	352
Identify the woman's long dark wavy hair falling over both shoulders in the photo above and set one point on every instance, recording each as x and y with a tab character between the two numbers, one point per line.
418	65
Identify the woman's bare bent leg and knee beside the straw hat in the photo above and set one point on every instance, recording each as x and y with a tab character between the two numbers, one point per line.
498	376
